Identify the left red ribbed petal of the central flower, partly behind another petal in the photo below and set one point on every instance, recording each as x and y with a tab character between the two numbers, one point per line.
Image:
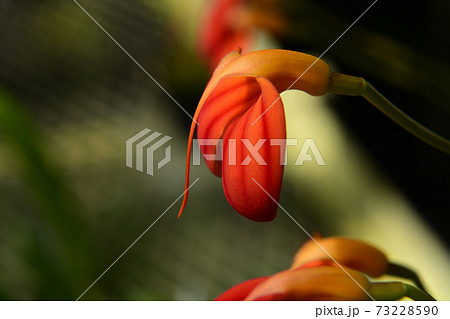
231	98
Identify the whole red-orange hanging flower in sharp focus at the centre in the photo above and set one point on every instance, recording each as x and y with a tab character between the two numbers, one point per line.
241	106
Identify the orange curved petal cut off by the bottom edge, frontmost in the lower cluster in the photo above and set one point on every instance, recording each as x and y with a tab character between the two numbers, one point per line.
314	283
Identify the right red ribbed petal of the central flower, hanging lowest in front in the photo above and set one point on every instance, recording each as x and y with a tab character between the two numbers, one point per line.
252	184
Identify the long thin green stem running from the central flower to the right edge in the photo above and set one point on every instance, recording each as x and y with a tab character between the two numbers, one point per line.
355	86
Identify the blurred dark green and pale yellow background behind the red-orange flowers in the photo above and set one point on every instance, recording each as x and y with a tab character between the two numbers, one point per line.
70	98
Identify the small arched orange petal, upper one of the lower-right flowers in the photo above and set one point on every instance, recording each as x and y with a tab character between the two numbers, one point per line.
350	253
